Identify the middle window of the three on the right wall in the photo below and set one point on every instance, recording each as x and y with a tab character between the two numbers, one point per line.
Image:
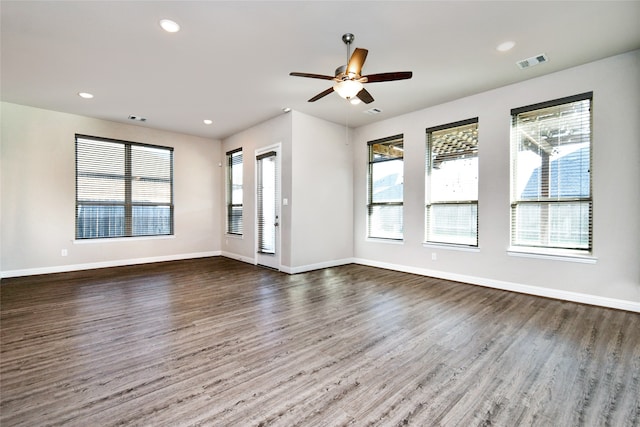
452	184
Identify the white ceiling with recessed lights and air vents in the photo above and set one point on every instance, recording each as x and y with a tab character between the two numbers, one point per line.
231	60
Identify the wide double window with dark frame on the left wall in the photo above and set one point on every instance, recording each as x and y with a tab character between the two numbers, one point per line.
123	189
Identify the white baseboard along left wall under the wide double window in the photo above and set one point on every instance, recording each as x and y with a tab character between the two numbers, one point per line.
104	264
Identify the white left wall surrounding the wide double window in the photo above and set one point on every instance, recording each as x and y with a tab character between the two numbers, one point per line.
38	195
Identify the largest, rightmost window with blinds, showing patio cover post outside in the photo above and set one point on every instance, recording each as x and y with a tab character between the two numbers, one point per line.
551	205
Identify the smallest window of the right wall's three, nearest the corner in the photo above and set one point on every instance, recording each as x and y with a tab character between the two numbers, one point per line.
385	188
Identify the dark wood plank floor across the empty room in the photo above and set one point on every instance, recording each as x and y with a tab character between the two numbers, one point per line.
218	342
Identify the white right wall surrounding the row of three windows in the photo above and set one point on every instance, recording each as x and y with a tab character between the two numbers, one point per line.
615	275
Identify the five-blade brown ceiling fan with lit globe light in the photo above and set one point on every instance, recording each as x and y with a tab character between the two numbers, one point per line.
349	83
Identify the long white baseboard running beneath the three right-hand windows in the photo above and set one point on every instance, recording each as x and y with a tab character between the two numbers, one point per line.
510	286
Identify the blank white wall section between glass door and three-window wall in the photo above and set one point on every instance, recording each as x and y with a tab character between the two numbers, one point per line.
321	203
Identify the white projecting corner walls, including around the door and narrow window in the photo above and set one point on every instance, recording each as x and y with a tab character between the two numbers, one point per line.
316	166
